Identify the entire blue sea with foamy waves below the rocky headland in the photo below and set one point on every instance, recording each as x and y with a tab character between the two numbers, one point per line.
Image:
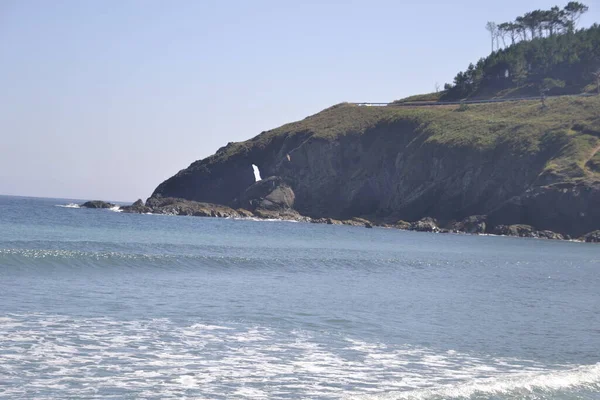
100	304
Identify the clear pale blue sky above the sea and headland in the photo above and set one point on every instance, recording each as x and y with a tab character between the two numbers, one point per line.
106	99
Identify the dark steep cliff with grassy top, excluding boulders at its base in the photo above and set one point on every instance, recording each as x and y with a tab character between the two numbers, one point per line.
511	161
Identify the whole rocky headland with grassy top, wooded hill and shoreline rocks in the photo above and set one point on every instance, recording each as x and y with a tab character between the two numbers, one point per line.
438	162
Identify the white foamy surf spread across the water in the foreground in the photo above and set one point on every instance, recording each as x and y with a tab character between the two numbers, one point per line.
54	356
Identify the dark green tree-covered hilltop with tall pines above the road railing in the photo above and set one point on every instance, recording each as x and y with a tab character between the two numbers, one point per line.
544	52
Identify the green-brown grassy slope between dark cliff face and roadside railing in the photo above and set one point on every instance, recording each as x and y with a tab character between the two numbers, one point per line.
572	122
